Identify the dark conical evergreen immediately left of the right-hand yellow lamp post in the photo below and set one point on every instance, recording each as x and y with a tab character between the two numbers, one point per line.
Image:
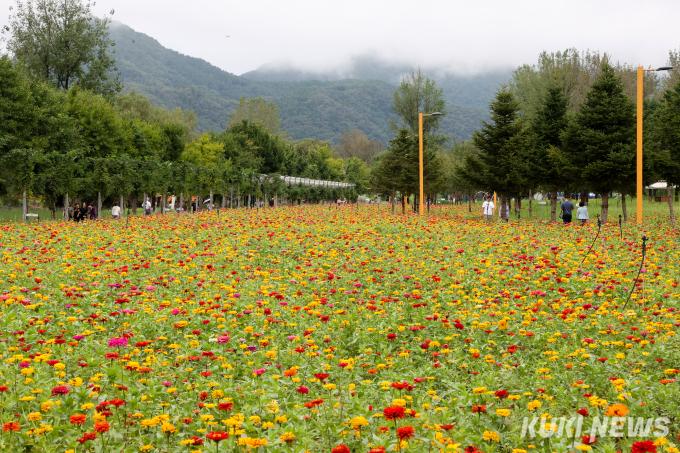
601	138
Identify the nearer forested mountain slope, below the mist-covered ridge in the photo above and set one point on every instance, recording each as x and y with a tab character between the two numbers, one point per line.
309	107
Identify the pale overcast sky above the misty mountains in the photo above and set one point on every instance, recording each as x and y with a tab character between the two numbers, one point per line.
465	36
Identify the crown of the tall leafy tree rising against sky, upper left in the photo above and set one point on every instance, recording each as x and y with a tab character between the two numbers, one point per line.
63	43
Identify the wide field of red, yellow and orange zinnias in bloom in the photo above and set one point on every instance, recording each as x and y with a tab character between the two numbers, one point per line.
342	330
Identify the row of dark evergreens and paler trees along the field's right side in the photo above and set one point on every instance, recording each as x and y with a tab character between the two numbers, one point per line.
567	124
